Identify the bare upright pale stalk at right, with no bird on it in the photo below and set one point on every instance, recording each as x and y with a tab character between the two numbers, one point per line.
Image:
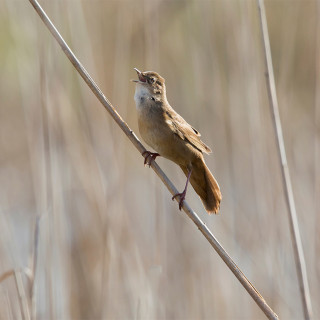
293	220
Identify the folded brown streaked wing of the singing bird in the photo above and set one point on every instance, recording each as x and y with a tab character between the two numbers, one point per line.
183	129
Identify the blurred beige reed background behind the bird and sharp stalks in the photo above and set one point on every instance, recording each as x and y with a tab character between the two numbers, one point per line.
90	232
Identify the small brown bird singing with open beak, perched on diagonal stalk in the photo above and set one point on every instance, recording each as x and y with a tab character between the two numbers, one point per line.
173	138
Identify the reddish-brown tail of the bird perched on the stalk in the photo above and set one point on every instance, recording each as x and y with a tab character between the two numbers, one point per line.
205	185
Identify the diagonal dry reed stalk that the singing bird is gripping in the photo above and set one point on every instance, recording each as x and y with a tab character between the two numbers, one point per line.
133	138
